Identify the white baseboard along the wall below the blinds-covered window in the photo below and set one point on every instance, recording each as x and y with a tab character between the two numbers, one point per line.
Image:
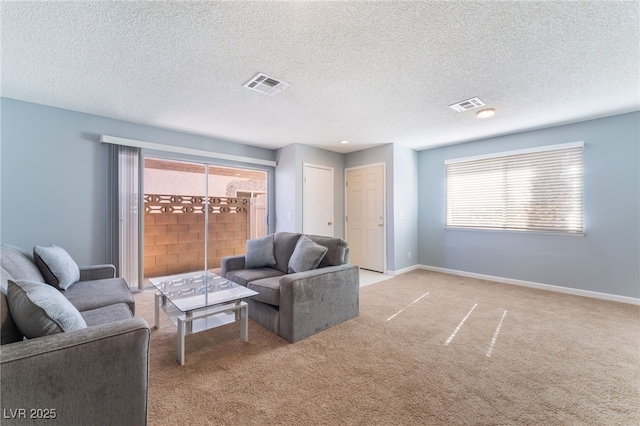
549	287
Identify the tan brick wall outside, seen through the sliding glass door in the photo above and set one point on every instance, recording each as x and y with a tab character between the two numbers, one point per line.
174	237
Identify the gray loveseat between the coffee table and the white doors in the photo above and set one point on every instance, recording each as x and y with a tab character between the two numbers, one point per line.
298	305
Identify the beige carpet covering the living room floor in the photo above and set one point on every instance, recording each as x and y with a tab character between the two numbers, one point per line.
427	349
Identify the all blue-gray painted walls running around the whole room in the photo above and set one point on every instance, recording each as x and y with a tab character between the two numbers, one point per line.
53	182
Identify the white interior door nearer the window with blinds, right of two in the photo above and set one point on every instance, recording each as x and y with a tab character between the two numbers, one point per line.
365	222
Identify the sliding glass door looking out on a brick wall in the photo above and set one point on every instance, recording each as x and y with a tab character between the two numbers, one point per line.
197	213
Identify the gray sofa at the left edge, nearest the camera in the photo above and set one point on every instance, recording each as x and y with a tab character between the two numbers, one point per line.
96	375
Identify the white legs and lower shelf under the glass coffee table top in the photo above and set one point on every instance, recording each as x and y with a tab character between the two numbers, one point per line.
202	319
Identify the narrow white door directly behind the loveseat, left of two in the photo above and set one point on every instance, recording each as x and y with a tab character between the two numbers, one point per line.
317	200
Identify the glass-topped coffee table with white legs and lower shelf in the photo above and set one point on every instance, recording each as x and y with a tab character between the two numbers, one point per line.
199	301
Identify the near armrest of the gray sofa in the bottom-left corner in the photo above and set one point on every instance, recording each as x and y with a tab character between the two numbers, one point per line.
97	375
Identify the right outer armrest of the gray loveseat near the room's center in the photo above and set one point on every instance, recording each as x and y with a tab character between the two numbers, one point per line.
315	300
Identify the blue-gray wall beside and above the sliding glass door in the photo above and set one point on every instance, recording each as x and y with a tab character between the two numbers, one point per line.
54	175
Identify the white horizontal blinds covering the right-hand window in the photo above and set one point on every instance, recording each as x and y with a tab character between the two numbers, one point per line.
537	190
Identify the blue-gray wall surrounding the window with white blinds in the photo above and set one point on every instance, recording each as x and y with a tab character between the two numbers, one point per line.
605	260
